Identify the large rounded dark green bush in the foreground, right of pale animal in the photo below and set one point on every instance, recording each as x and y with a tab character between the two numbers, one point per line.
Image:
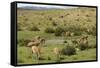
68	50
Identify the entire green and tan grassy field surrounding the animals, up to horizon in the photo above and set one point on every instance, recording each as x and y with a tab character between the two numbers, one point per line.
76	20
